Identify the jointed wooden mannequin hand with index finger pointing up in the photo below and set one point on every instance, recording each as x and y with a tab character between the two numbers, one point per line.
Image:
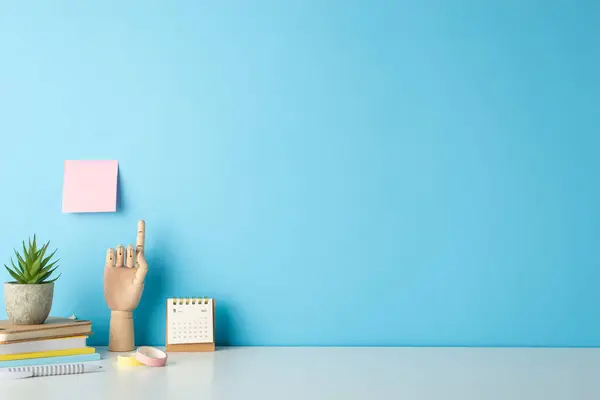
123	286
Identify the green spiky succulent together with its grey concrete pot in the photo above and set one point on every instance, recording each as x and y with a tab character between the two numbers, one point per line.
28	299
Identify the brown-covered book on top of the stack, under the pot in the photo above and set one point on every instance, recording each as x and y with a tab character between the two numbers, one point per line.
54	327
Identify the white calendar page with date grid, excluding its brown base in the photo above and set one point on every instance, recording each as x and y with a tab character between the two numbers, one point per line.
190	321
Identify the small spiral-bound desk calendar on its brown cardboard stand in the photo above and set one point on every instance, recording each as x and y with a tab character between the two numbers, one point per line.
190	324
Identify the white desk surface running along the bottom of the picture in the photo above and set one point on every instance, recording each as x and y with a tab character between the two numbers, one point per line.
334	373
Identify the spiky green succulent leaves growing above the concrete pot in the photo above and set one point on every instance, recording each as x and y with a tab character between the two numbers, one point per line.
33	267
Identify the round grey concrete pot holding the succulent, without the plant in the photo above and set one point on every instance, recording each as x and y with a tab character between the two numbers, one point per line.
28	304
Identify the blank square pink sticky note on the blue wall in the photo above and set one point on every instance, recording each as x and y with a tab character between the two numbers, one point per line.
90	186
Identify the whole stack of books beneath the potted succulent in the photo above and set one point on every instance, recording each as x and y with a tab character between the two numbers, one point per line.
57	341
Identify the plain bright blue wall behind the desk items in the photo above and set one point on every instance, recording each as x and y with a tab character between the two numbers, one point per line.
349	173
